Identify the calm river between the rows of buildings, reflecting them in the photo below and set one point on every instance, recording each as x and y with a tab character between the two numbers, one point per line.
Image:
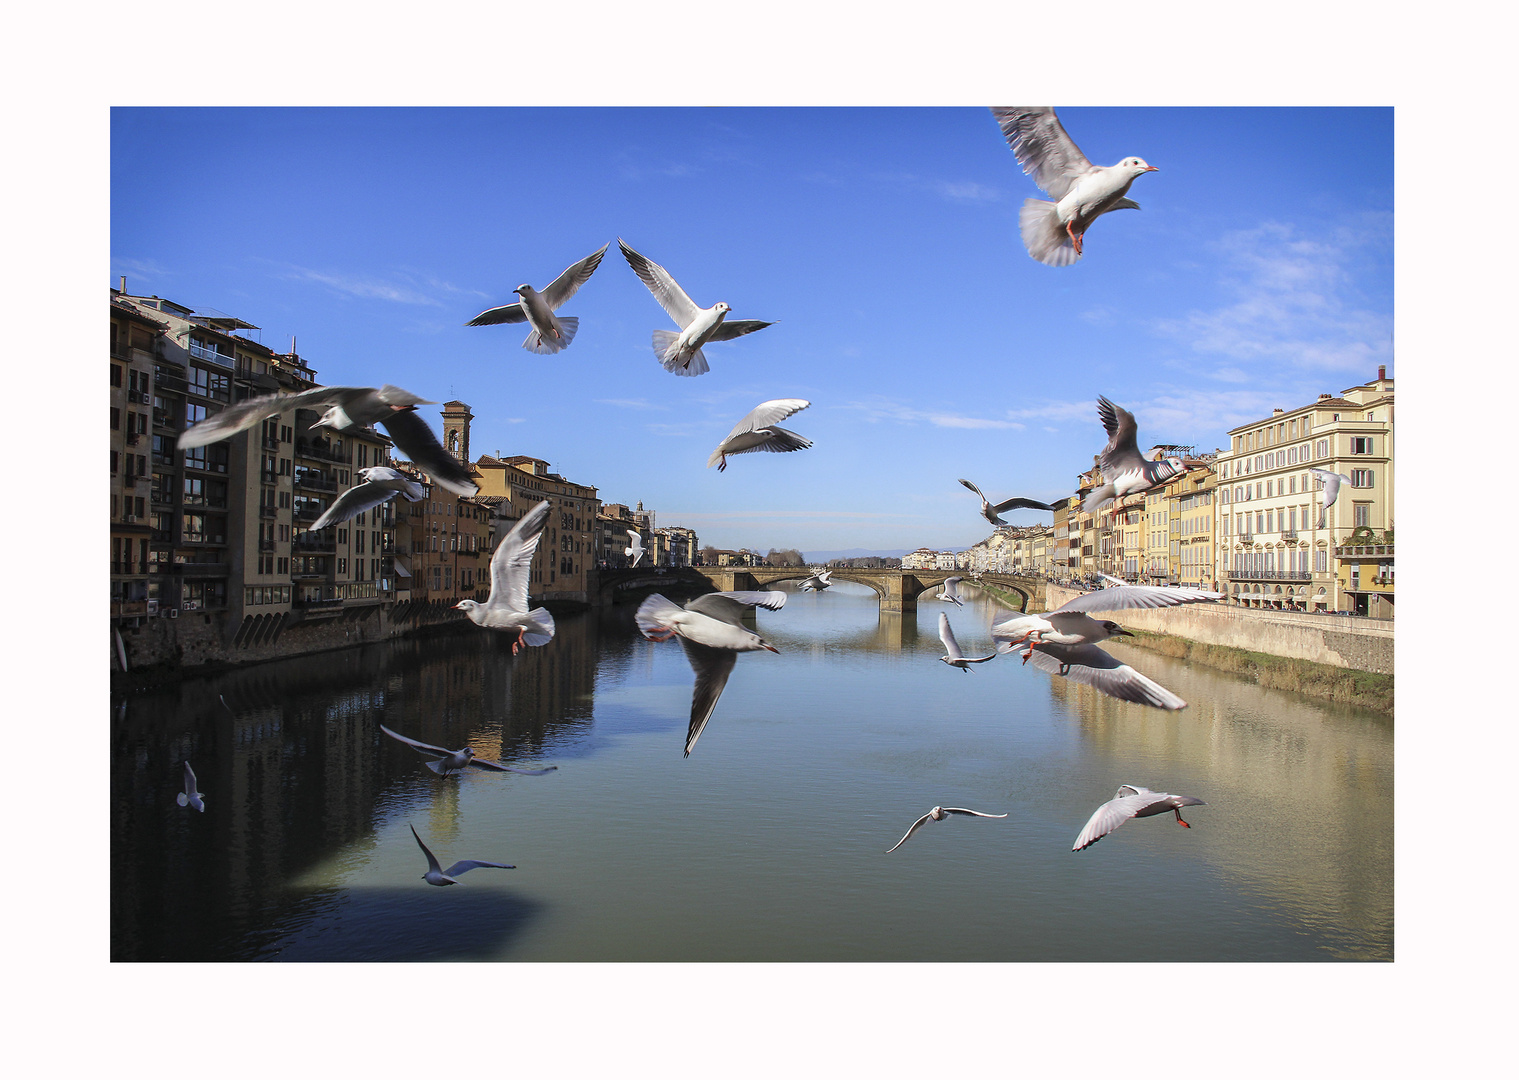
769	842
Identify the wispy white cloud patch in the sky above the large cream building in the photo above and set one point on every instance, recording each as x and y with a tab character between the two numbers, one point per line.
1296	302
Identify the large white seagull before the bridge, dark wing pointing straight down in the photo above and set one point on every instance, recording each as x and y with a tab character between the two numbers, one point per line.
713	637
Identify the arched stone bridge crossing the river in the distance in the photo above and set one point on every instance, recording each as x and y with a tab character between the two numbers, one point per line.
898	590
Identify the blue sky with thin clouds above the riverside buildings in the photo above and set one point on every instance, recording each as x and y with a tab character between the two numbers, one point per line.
883	244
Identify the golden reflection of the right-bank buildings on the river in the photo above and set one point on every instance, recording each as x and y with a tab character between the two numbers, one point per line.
1307	778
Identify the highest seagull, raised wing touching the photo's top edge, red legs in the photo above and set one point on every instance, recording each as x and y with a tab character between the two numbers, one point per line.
1082	192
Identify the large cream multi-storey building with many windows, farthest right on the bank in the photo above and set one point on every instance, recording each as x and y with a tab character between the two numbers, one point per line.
1272	549
